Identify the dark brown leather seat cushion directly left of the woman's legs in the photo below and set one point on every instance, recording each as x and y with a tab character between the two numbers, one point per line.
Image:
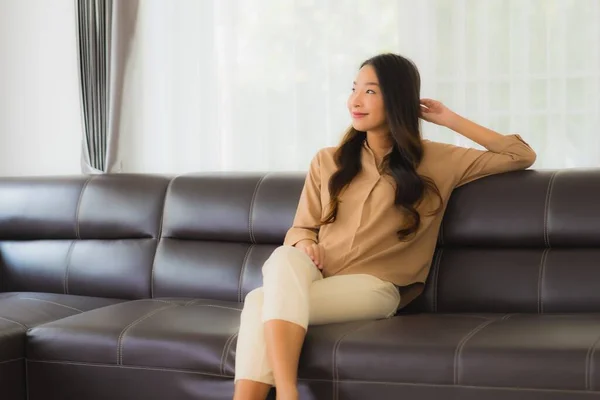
181	334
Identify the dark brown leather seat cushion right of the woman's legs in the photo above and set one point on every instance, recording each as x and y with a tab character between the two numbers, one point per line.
530	351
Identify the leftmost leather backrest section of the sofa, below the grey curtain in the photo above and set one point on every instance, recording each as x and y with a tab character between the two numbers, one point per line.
93	236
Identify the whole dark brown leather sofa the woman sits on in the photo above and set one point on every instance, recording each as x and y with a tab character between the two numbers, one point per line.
130	287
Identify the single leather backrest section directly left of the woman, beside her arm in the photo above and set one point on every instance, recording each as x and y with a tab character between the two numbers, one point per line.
218	230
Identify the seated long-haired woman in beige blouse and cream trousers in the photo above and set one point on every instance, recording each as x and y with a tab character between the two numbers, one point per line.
367	222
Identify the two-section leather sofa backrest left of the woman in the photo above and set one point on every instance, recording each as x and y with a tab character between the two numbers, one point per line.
142	236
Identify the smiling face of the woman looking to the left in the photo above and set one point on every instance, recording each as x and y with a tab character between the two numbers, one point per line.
366	102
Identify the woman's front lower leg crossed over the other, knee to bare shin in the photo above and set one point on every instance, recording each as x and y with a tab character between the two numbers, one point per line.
287	278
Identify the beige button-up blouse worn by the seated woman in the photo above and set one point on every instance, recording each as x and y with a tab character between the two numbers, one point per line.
363	238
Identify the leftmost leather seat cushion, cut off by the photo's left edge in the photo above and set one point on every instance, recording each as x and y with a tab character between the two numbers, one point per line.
20	311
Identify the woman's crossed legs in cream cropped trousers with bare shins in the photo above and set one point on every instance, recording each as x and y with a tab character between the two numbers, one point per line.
335	299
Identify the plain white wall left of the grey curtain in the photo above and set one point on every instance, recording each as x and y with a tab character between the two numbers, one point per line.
40	122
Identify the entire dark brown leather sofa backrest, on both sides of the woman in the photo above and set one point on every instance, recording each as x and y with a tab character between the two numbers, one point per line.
520	242
